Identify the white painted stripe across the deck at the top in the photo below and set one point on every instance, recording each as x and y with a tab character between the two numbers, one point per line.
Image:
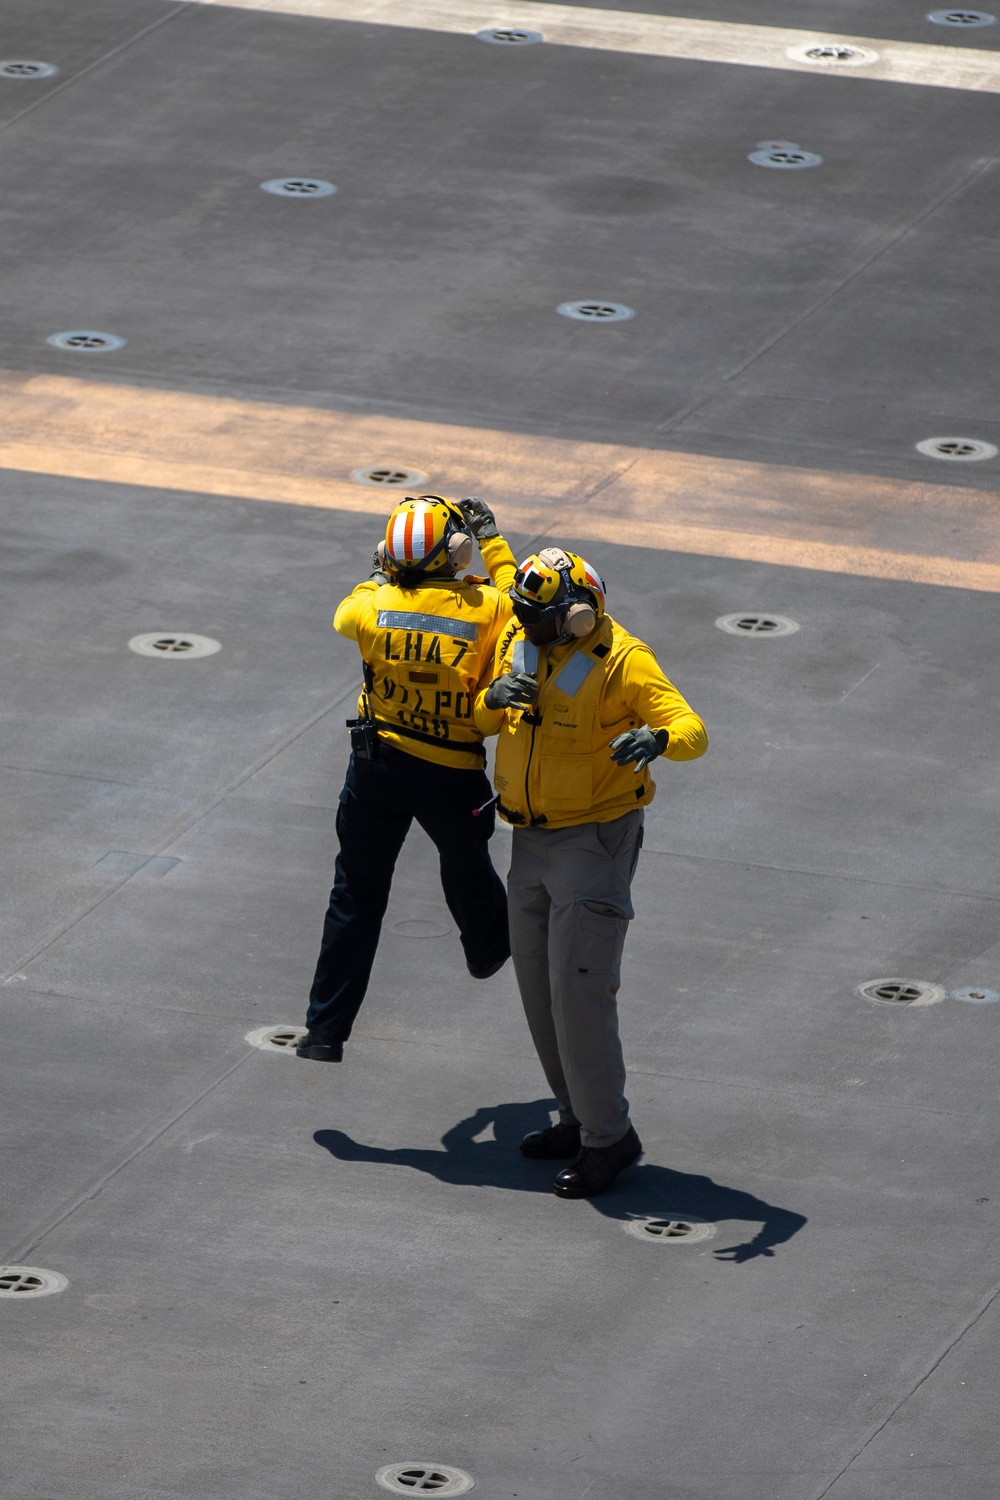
662	37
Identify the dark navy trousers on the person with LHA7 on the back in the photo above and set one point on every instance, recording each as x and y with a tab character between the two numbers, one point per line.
379	803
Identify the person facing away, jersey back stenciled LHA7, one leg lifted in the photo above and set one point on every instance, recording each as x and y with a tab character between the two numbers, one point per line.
428	641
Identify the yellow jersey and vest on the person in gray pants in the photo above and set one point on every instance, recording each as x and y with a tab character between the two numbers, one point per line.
554	764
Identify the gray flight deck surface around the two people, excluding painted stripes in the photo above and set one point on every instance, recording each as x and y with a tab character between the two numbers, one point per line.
283	1277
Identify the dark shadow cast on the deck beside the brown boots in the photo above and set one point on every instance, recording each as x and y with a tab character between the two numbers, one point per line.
642	1192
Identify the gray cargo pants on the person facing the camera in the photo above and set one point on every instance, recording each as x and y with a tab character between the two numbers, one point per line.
570	905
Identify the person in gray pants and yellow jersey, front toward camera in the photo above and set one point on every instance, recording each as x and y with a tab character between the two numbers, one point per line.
581	709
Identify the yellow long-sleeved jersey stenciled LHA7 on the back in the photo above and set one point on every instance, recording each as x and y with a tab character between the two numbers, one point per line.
430	652
